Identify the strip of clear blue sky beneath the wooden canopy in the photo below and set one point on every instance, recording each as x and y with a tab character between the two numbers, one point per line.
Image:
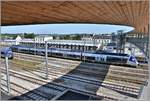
64	28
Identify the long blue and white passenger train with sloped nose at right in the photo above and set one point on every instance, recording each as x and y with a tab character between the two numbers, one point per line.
99	57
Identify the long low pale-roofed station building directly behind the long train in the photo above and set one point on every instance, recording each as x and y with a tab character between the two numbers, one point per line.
66	44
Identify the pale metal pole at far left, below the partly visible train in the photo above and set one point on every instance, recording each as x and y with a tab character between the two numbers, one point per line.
7	74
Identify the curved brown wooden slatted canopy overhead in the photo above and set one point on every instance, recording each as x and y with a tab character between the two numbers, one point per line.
131	13
